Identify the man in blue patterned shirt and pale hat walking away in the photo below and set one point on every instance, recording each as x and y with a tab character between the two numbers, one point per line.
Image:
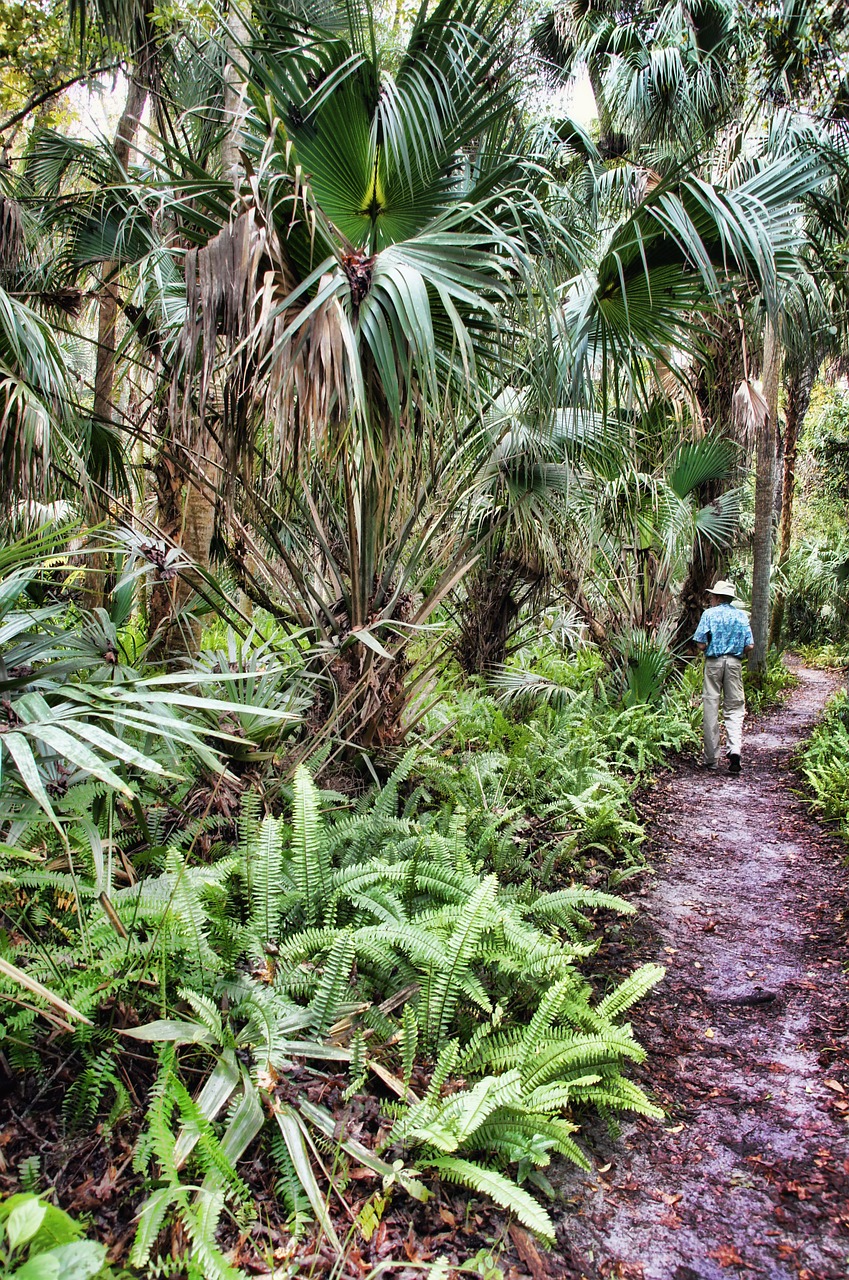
724	637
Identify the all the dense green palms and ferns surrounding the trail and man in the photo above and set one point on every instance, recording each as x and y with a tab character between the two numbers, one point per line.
372	429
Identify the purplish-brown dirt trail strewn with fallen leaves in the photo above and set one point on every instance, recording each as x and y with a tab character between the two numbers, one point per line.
747	1039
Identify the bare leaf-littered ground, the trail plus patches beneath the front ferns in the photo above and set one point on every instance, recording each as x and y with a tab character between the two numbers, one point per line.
747	1053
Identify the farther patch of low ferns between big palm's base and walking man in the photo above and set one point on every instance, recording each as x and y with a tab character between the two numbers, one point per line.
547	762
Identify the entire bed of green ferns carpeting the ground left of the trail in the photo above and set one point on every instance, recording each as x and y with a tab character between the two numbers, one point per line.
424	944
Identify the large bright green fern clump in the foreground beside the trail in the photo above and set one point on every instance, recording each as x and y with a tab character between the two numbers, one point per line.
376	940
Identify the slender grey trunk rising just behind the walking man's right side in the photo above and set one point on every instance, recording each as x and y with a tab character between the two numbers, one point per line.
765	504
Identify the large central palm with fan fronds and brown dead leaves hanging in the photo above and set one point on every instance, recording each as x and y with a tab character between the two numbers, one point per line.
353	318
